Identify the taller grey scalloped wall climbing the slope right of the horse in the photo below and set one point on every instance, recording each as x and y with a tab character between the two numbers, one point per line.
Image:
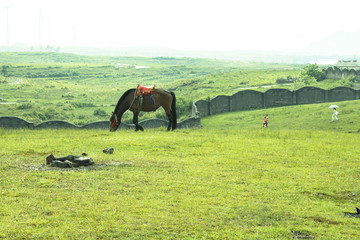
249	99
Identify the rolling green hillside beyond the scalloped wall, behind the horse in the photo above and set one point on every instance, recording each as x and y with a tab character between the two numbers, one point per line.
41	86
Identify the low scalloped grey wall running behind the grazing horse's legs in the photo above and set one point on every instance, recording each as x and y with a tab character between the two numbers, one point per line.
15	122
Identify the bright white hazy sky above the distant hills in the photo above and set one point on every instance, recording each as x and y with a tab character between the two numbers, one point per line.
286	25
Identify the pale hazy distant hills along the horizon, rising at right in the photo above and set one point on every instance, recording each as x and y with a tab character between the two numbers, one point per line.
341	45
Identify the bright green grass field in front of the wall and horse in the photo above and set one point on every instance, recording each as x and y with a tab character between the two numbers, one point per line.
232	179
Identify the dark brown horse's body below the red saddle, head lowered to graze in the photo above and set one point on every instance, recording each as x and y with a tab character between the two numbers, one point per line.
146	103
